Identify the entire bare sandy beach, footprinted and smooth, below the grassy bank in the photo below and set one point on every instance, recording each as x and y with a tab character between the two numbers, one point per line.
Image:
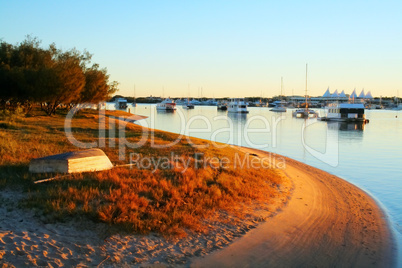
327	222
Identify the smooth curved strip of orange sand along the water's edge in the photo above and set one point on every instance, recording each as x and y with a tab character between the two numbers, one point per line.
327	222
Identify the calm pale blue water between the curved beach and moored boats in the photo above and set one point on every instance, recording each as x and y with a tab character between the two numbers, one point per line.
369	157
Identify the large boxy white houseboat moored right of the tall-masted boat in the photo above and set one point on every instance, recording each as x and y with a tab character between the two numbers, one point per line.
345	112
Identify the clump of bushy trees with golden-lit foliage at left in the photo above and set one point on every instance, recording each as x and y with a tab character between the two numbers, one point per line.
30	74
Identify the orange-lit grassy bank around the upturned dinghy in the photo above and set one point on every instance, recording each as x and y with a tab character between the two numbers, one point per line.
169	198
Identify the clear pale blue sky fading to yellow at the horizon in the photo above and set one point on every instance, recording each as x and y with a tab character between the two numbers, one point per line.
224	48
